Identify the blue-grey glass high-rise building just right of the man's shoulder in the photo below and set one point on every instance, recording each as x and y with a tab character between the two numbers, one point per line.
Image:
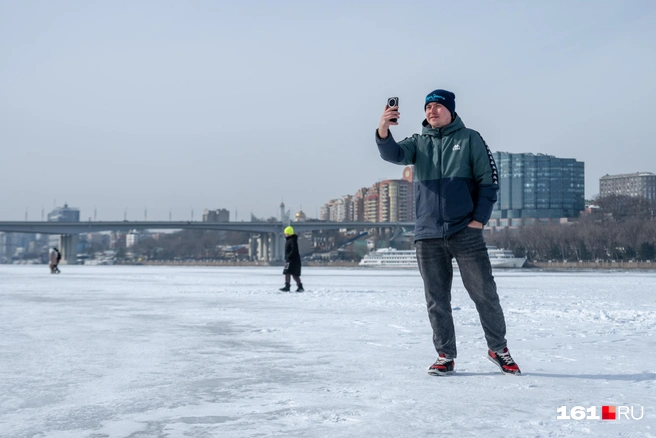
537	186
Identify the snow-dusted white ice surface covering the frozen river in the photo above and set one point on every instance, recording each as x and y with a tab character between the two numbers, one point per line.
111	351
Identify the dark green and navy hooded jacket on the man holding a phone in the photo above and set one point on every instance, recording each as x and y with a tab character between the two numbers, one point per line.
456	177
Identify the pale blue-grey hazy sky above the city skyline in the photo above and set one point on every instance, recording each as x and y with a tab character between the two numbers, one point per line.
220	104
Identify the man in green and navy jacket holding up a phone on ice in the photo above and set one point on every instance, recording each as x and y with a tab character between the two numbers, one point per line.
456	187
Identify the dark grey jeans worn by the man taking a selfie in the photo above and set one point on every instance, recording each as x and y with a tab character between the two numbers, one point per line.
434	258
